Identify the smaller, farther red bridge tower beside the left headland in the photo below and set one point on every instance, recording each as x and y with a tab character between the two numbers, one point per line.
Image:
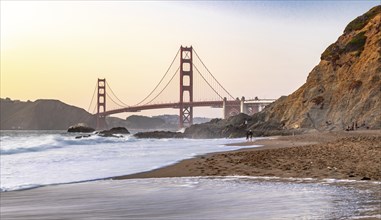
101	104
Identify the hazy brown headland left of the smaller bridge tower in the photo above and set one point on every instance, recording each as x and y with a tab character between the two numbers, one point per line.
41	115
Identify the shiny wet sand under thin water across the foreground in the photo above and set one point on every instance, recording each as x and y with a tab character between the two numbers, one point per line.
195	198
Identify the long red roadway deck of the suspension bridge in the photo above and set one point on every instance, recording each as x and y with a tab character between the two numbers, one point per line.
213	104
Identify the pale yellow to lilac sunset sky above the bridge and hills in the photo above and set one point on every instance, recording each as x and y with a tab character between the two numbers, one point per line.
265	49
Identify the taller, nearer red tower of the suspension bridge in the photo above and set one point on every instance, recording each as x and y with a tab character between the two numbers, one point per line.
186	86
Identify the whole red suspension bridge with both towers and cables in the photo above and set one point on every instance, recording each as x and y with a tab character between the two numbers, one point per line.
188	73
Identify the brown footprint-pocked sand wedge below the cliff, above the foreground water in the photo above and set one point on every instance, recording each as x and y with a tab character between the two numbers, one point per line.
338	155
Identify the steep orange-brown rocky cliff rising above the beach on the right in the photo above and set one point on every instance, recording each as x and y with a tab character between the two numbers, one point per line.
343	89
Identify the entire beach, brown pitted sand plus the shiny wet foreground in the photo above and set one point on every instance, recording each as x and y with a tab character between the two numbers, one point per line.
202	191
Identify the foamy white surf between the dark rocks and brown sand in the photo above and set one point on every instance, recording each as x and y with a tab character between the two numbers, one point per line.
37	158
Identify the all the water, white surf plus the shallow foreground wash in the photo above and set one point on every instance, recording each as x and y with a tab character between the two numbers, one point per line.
38	169
